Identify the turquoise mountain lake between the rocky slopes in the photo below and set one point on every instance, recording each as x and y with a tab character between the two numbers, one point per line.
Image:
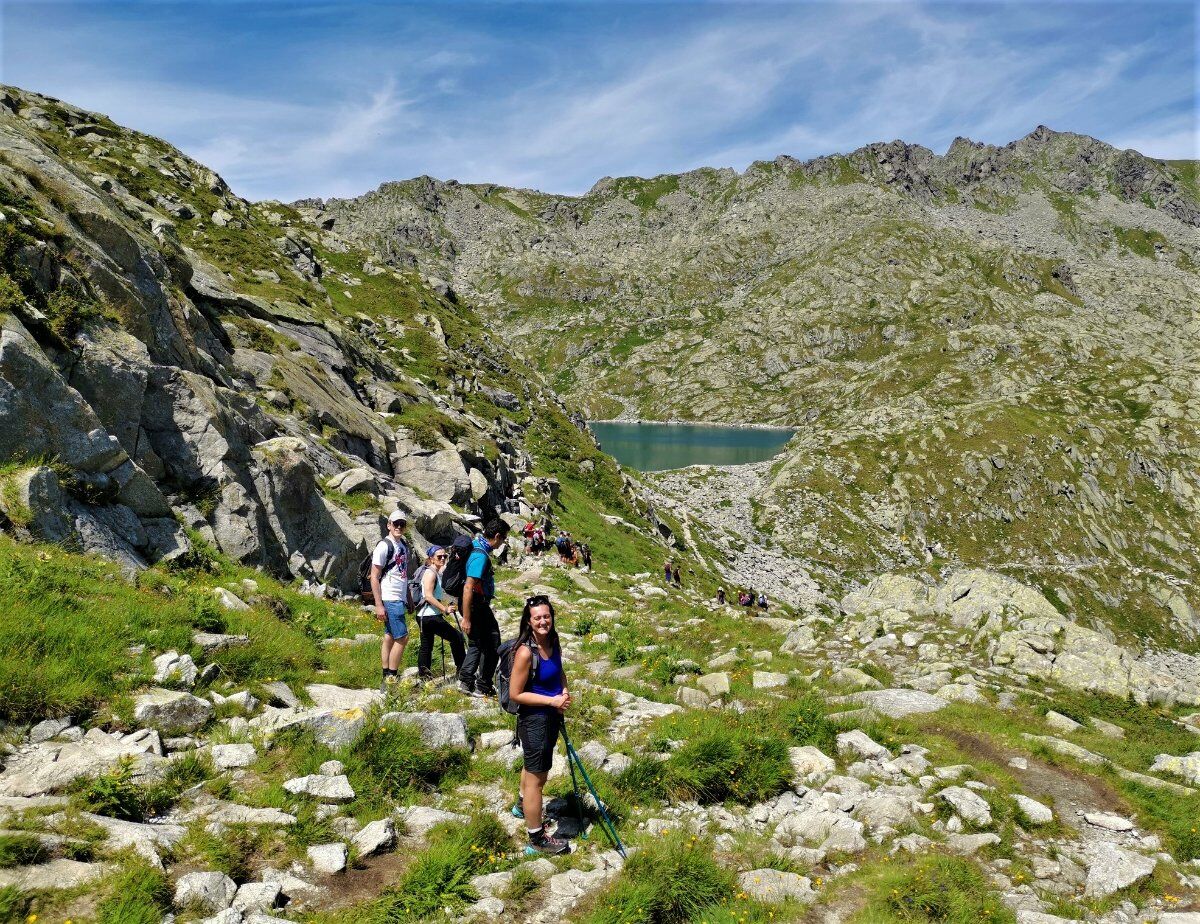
657	447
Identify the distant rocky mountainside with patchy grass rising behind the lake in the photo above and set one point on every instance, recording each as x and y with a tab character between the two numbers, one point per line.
989	355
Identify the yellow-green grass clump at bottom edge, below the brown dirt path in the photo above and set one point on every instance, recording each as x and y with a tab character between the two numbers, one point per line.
934	889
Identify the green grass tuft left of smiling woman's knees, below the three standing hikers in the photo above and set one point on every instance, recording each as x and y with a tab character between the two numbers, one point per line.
392	761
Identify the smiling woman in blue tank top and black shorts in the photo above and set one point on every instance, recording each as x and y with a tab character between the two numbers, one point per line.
543	698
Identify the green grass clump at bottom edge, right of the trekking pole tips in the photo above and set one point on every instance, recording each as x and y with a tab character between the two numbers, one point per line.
671	881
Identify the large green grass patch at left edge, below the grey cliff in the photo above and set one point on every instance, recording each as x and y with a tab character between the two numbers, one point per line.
69	620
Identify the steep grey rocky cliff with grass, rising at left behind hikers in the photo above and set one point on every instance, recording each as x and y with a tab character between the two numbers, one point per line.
179	365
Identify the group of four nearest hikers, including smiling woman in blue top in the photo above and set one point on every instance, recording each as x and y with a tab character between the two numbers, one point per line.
459	583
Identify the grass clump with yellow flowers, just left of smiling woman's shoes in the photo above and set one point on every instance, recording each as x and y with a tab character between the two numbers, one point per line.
441	877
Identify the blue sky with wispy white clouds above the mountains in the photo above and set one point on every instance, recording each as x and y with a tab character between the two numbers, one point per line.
301	99
